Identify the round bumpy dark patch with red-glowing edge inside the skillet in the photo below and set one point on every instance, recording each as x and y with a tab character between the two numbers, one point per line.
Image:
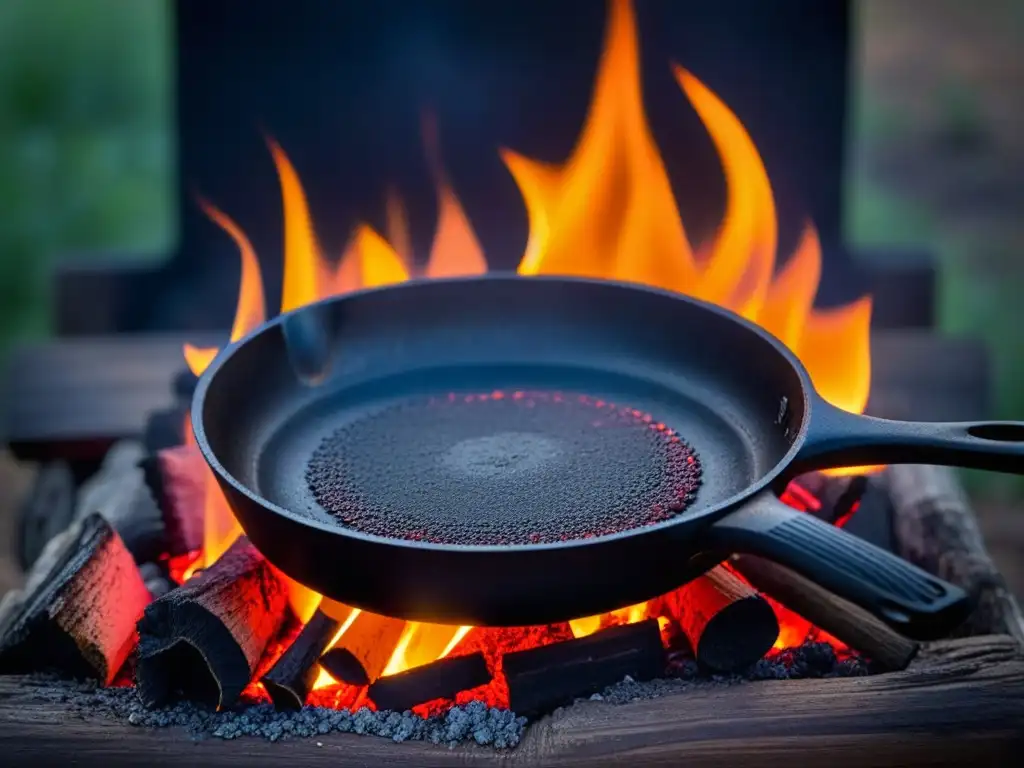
503	468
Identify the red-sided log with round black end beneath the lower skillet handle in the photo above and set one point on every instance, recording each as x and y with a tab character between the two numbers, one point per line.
729	624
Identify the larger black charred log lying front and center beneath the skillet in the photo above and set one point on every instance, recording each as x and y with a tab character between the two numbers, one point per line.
550	676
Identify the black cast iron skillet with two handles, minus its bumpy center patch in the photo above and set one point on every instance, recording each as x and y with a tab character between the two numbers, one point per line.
738	396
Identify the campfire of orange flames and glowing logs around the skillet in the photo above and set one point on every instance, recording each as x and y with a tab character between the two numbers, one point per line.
218	624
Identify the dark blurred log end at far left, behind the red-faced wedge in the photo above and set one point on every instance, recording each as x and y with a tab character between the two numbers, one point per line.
48	510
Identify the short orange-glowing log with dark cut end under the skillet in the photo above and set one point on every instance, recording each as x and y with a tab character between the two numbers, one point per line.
362	654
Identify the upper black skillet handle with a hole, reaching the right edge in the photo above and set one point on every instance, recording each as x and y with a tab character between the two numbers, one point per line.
838	439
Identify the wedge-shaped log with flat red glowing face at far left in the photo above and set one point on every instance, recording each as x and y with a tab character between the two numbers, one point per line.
78	611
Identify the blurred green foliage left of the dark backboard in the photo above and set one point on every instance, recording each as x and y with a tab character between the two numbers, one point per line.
86	153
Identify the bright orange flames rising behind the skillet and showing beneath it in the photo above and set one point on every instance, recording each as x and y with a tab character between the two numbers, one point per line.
608	212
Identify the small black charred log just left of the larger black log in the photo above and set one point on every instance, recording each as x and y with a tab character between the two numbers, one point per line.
441	679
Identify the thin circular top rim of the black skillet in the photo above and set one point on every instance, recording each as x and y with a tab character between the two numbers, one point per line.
707	516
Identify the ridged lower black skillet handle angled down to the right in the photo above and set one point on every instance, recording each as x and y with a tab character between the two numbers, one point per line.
909	600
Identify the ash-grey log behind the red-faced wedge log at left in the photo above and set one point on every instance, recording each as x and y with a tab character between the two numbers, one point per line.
118	492
